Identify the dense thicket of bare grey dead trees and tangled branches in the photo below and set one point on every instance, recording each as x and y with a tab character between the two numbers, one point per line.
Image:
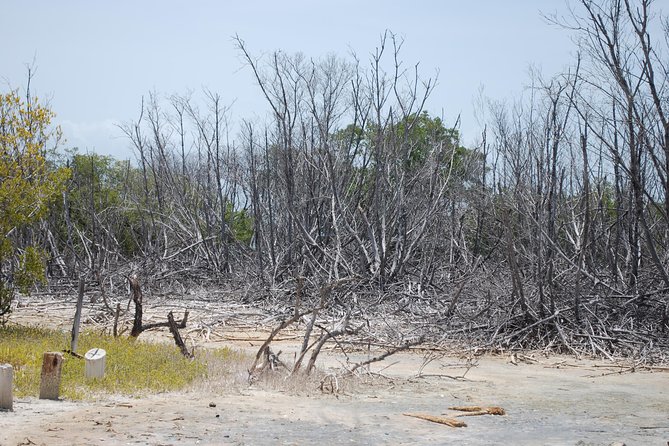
553	230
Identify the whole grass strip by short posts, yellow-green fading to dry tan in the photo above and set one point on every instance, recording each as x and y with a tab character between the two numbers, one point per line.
135	367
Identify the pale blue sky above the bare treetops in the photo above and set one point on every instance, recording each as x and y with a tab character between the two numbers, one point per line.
95	59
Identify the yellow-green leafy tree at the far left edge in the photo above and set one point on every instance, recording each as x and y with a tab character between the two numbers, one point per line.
28	184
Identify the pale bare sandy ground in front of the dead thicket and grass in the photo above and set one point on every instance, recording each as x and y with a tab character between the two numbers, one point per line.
549	401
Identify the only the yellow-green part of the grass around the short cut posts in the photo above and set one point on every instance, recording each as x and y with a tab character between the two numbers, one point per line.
133	367
